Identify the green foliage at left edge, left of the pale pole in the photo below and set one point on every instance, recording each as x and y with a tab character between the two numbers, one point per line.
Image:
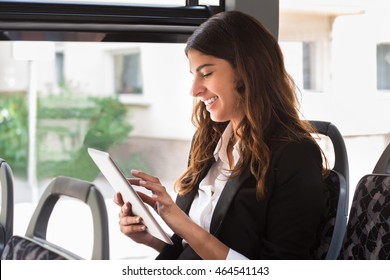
14	131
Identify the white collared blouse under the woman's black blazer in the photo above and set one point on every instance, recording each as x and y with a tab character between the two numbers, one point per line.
211	187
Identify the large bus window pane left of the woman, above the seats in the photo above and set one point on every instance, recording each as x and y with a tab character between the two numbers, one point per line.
78	90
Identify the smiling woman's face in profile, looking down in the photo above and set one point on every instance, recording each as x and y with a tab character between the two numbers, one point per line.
215	84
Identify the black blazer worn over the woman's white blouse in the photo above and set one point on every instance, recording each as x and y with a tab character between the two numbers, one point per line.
283	225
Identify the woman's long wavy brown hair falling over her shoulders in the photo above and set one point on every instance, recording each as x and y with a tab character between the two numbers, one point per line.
266	92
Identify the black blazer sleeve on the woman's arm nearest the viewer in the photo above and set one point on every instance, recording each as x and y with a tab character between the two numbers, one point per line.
295	202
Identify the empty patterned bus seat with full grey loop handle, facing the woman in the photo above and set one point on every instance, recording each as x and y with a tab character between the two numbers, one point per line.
34	244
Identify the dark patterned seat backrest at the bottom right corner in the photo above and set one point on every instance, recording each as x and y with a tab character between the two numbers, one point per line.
368	230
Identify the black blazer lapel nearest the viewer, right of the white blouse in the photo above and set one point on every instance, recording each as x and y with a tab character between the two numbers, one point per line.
225	200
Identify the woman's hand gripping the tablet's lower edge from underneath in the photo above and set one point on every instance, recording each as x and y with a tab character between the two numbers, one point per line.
132	226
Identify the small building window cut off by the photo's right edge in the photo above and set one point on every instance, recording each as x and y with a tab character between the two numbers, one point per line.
383	66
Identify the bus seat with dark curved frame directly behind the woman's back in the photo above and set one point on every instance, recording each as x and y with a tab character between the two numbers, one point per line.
333	224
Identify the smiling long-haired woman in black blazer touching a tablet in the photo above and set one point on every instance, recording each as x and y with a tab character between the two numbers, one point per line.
253	186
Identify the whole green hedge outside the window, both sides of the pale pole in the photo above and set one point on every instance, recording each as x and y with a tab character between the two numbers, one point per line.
83	121
